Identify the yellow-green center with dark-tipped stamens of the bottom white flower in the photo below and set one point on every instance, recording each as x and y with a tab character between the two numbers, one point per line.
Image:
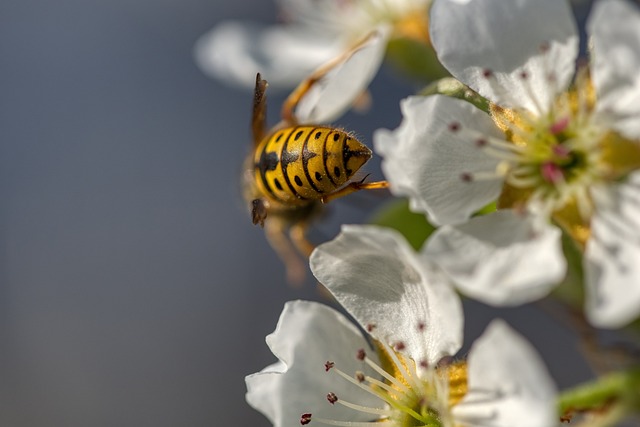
410	394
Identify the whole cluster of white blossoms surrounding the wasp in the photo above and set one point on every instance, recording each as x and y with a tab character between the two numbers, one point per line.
556	151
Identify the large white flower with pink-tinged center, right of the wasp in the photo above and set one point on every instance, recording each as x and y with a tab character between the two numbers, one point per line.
557	146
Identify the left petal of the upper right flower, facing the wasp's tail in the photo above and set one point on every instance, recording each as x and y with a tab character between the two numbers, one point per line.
425	161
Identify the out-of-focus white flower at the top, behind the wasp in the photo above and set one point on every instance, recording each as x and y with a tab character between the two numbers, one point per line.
315	32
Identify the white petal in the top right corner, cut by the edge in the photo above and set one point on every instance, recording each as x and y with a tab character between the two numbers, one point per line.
614	26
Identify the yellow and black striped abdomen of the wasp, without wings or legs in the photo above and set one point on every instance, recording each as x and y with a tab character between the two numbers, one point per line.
299	164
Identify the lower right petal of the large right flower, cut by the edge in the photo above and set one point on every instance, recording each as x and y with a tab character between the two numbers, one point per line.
612	256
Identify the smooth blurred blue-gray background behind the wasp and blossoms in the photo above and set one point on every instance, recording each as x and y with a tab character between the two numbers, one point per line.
134	290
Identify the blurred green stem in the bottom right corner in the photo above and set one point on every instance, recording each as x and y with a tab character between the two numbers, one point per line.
617	392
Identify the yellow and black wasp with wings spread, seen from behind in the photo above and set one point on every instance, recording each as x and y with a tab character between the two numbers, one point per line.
301	164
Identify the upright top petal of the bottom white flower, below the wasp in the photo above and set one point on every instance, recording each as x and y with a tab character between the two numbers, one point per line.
374	274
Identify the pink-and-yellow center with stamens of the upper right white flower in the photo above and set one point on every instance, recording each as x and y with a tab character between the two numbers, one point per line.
549	161
